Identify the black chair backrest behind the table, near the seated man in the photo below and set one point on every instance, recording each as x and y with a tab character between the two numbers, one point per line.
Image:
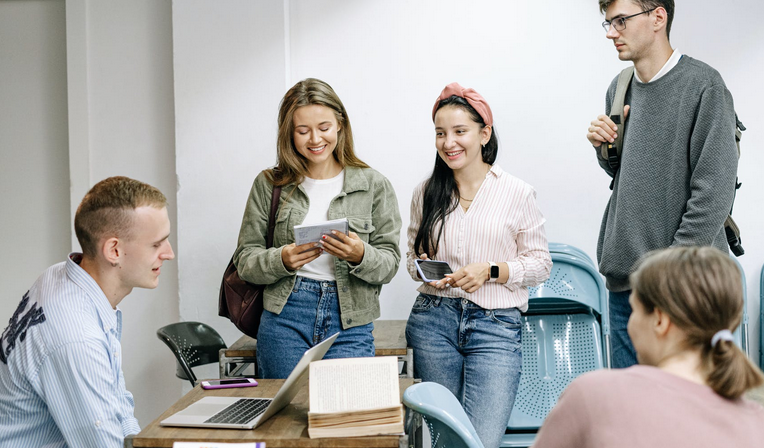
193	344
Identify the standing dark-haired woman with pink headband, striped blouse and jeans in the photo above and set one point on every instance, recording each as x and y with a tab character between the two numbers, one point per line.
465	329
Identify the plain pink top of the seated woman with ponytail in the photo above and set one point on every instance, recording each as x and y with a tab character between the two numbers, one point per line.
644	406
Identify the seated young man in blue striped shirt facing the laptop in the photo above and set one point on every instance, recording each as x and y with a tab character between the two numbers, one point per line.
61	381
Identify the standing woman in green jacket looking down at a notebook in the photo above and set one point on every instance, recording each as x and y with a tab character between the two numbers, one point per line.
316	290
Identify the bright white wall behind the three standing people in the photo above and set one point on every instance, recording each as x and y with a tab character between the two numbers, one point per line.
544	71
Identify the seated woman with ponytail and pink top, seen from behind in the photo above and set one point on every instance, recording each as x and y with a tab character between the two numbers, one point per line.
688	389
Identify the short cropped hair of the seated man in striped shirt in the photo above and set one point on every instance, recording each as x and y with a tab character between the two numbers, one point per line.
106	210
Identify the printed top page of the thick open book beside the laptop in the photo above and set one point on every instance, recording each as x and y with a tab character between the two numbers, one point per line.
338	385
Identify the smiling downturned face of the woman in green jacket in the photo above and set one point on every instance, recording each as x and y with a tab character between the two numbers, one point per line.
315	137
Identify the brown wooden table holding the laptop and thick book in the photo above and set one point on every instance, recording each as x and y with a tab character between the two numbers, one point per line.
288	428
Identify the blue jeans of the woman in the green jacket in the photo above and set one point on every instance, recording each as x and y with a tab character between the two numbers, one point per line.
311	314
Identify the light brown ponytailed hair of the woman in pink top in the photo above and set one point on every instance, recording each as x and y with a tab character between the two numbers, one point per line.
701	291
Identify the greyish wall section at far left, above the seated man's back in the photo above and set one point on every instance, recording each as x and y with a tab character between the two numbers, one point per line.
34	199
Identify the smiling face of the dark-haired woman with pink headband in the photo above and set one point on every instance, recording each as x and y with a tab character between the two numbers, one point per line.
459	139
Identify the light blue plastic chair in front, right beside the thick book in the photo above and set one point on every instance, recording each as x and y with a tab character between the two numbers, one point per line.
448	423
